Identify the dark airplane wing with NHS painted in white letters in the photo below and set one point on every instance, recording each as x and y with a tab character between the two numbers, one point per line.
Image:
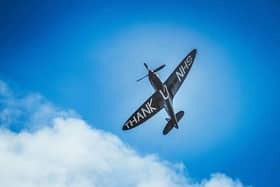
176	79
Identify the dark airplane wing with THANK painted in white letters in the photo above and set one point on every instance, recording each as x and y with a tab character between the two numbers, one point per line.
149	108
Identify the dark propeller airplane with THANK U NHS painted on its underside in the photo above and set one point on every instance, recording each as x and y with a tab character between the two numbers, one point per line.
163	95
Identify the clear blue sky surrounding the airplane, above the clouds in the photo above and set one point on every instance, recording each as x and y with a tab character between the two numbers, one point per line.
87	56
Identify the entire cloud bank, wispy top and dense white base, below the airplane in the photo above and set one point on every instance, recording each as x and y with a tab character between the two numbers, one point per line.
56	148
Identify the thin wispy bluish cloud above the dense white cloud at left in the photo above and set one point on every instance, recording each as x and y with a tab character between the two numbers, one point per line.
27	111
